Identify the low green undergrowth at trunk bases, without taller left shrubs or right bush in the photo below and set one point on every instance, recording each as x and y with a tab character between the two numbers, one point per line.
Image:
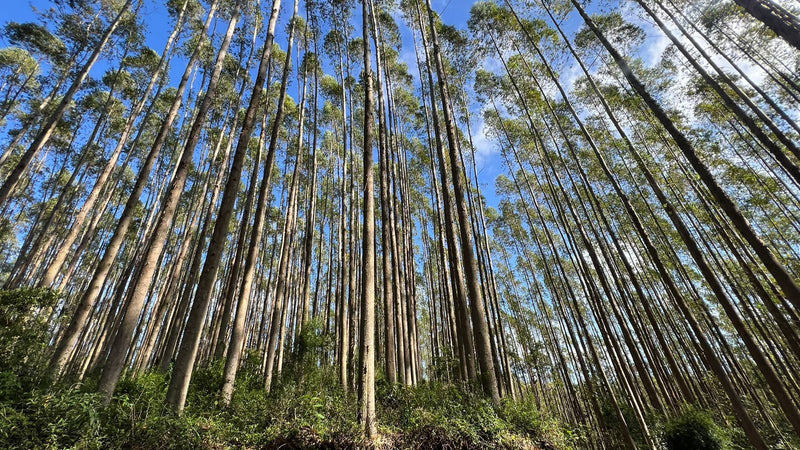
306	409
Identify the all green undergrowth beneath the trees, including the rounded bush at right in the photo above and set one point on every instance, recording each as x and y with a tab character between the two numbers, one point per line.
306	408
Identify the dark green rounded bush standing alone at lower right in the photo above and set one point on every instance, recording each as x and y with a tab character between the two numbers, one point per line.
693	430
